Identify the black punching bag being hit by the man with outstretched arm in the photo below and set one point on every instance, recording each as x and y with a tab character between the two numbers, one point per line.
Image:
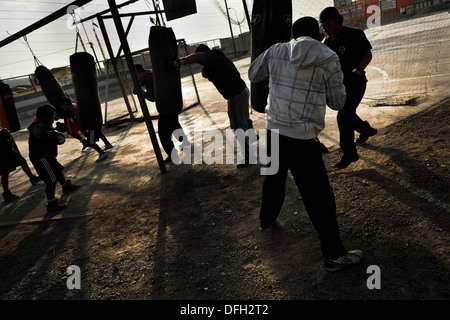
167	81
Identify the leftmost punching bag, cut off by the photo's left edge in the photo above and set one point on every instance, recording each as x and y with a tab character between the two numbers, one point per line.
9	118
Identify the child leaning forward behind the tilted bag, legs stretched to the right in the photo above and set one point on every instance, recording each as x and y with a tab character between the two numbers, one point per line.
73	129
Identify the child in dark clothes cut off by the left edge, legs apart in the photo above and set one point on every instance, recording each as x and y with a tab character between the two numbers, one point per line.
10	159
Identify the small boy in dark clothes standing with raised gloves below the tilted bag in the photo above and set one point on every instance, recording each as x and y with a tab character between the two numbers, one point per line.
43	148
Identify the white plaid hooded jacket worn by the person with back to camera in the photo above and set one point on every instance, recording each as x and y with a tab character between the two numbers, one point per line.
304	76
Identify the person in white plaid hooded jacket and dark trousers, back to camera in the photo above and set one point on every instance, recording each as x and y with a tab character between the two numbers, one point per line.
304	76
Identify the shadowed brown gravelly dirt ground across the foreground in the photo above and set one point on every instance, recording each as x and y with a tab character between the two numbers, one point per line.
193	234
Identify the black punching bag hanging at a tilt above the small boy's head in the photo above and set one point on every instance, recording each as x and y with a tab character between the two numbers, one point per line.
52	90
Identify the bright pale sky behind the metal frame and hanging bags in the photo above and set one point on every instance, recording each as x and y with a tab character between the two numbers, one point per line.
55	42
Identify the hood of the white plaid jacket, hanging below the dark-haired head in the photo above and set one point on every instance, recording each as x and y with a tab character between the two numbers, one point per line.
306	52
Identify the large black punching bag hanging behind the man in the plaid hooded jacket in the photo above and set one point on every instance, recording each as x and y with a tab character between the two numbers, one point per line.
271	23
